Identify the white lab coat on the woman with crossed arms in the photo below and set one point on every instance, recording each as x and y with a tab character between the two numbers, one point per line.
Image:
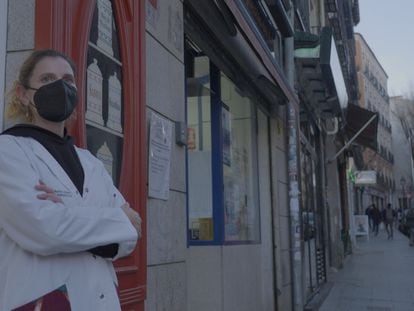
43	244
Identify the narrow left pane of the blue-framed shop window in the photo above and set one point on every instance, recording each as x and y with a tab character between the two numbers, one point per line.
199	159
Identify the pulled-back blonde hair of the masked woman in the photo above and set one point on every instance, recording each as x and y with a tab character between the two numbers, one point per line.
16	109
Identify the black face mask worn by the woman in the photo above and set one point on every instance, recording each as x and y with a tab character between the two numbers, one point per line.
55	101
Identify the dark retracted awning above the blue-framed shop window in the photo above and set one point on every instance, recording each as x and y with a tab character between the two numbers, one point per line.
230	39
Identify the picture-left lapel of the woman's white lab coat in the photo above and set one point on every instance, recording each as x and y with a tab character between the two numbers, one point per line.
55	168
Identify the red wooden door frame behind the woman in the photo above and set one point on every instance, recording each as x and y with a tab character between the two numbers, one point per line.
64	25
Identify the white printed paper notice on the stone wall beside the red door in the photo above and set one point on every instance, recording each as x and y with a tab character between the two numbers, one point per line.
159	157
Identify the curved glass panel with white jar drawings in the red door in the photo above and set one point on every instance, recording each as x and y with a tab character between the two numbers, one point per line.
104	99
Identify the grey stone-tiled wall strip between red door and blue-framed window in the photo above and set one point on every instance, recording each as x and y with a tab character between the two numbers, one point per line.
165	84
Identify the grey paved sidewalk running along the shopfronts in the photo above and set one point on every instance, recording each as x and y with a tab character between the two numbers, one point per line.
378	276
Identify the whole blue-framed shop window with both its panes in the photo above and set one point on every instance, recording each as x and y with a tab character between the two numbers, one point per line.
221	157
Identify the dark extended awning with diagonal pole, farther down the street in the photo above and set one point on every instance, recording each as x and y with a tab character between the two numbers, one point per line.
356	119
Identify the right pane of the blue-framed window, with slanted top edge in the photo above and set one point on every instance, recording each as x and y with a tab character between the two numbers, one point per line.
240	204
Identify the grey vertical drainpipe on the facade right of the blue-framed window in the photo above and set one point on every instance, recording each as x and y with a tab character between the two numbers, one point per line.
294	207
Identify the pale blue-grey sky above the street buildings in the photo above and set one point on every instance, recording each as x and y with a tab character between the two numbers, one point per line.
388	28
